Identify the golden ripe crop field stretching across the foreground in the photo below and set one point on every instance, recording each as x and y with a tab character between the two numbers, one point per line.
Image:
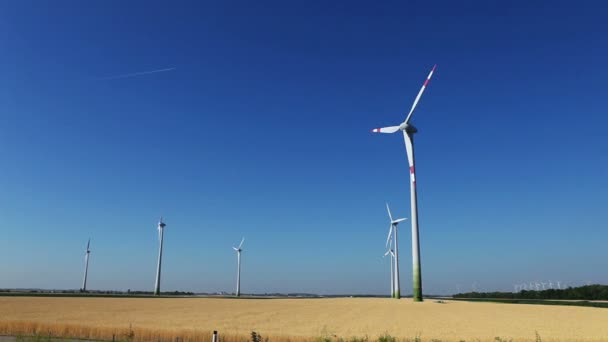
295	320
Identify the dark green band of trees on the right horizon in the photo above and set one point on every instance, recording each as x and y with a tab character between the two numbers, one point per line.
587	292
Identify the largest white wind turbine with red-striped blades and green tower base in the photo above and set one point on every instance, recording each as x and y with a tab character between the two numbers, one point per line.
408	134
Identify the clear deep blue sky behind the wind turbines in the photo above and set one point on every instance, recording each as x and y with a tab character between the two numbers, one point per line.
263	131
